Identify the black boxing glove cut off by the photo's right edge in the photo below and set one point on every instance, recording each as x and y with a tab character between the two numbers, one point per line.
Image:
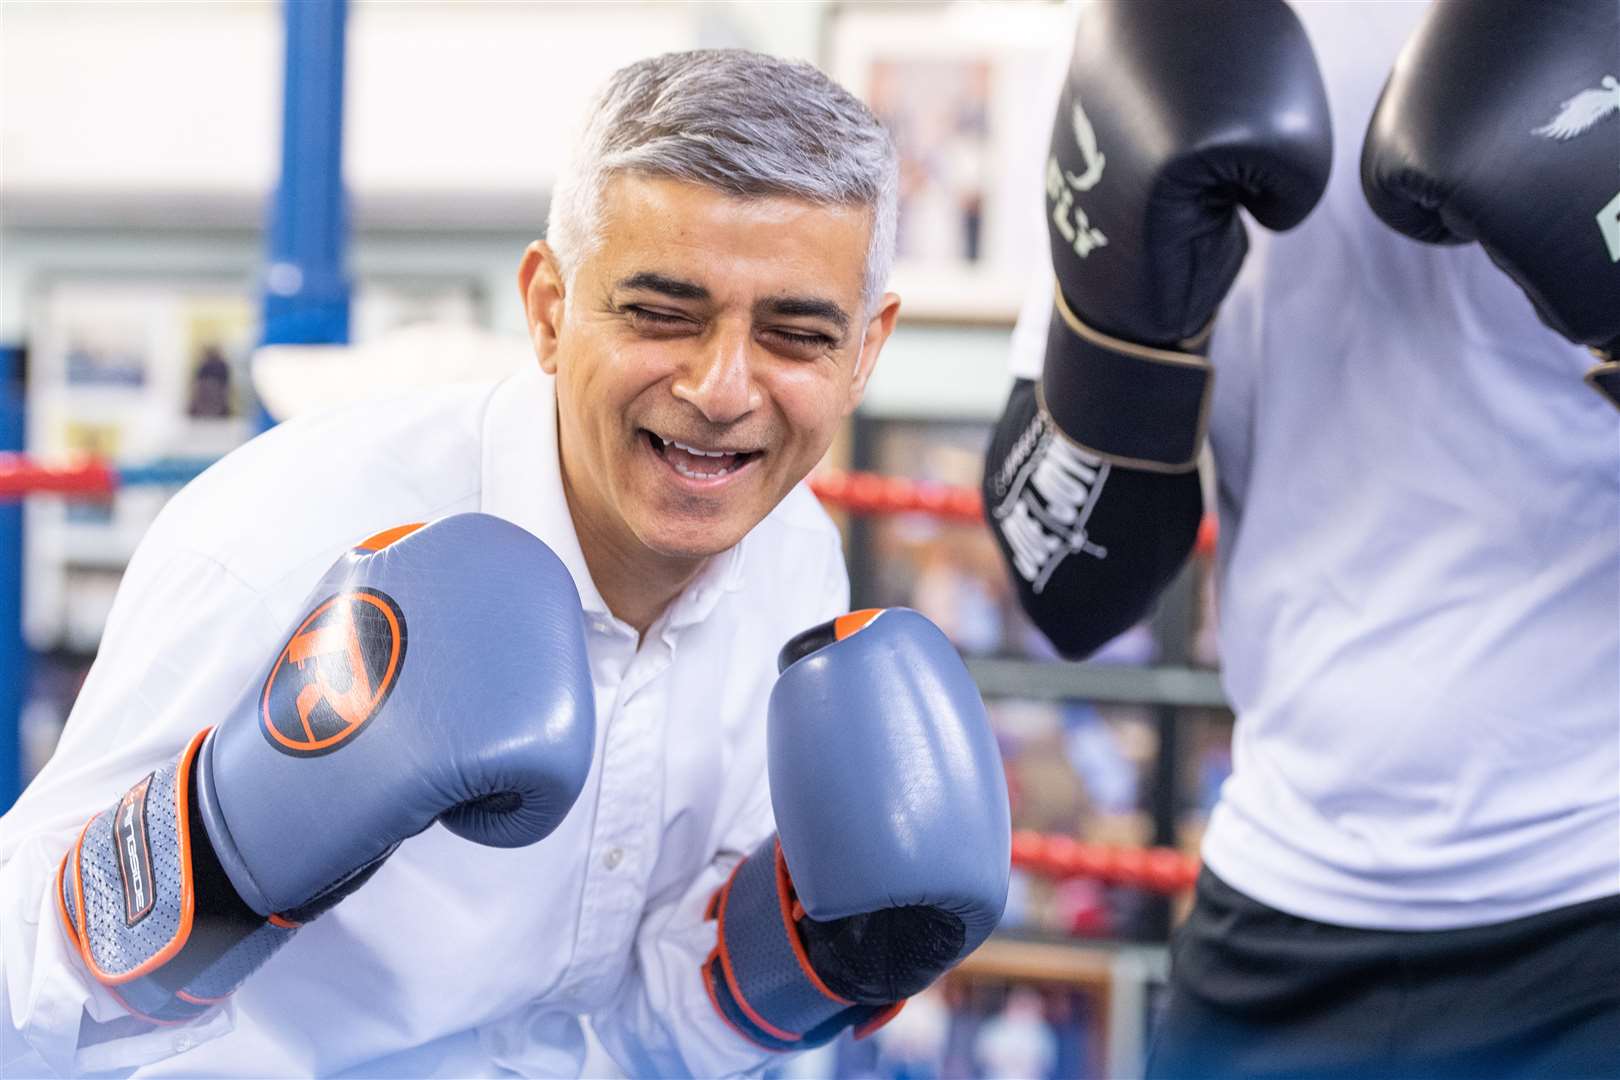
1501	125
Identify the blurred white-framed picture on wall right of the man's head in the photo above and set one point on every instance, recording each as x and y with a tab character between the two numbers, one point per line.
965	91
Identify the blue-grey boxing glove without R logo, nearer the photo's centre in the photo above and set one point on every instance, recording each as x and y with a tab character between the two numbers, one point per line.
893	838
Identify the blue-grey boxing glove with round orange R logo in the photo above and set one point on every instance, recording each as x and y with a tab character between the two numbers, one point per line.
438	674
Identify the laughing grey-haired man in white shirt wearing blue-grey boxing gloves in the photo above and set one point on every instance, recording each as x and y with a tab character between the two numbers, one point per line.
706	315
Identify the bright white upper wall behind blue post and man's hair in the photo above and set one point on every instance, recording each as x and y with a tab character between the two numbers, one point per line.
471	96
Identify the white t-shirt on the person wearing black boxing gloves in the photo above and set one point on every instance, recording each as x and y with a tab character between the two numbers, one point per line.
1420	564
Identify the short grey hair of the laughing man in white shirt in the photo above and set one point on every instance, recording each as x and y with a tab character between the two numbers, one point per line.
741	122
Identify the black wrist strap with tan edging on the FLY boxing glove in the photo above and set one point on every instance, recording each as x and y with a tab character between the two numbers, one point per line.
1132	406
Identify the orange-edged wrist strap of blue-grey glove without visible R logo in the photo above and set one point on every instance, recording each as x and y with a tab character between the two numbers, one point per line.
761	956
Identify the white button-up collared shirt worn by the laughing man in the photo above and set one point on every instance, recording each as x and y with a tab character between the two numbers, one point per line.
456	959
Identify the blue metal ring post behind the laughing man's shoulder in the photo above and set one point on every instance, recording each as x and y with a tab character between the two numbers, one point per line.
307	279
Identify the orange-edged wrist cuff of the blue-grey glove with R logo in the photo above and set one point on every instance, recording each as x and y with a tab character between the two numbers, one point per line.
127	898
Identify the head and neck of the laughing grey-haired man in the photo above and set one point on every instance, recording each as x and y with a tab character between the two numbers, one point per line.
778	192
